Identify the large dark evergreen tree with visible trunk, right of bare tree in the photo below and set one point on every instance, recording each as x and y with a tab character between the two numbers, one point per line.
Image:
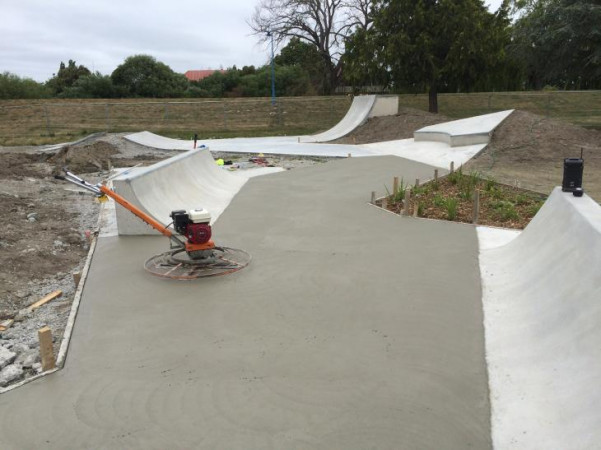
436	45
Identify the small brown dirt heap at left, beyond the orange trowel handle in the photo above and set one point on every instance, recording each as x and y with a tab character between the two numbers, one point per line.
89	158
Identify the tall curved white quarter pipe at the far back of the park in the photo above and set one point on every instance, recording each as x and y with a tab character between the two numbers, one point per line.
362	108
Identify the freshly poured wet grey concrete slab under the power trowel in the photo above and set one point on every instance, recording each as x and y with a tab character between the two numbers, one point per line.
352	328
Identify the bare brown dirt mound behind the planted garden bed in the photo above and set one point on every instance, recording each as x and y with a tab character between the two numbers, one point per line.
528	150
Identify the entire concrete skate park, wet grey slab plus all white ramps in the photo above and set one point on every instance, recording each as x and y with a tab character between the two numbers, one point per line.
351	328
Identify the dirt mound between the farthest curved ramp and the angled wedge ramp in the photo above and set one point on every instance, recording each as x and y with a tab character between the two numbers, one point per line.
390	128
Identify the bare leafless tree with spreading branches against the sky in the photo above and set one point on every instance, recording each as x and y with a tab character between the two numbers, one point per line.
321	23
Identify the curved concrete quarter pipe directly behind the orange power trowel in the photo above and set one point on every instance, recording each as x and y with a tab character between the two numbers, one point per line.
186	181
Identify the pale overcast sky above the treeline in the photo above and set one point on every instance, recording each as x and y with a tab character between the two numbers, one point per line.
36	35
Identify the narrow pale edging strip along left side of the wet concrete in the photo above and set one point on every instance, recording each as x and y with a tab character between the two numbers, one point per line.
68	332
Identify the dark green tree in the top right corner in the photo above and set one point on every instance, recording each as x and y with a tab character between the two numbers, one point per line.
559	43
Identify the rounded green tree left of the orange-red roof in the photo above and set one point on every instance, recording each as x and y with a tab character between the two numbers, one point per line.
144	76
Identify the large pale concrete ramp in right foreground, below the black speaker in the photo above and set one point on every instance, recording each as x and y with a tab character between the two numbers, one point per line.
542	305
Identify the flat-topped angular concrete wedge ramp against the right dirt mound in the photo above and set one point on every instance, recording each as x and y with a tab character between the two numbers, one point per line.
470	131
